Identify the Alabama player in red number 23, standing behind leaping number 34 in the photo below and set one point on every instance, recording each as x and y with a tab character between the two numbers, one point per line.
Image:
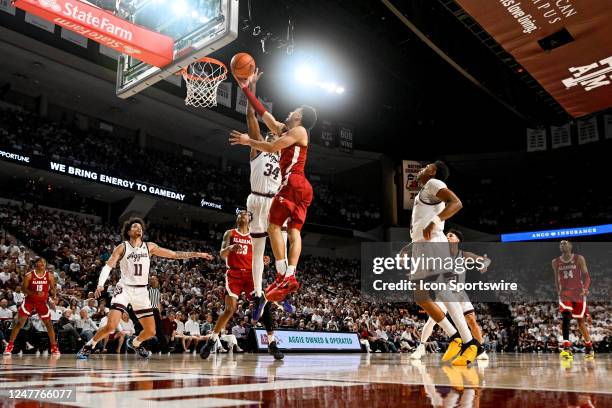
237	251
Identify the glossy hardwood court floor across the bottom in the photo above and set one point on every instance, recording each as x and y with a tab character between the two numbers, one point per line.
308	380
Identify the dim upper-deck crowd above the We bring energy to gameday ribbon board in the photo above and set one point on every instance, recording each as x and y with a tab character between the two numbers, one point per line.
27	133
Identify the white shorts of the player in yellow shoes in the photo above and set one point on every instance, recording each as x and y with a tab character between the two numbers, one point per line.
432	253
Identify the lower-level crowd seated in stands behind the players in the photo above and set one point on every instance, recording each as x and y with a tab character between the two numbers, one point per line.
329	299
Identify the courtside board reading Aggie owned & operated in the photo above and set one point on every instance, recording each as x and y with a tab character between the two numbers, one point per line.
298	340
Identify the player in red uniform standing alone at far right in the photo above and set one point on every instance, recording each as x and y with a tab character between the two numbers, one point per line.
572	281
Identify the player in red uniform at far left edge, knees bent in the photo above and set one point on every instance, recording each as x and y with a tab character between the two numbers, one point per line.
37	286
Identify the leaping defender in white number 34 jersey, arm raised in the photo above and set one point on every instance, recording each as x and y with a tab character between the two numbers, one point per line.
265	183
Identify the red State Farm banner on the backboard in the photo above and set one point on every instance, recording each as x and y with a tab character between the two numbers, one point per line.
105	28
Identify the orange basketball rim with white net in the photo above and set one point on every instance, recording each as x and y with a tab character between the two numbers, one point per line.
203	78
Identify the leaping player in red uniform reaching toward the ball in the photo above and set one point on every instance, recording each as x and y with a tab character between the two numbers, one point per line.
295	195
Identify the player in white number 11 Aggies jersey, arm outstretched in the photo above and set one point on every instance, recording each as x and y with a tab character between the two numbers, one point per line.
134	260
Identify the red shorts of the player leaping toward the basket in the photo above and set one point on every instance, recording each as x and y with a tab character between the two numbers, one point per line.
291	202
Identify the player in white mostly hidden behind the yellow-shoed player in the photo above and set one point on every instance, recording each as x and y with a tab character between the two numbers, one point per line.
454	237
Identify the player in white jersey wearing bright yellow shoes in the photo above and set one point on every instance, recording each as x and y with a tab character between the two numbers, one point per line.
434	204
